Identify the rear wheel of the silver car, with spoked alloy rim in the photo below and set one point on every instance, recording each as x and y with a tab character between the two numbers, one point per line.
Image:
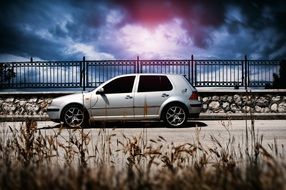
175	115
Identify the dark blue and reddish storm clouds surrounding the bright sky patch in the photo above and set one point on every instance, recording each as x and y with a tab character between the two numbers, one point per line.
45	29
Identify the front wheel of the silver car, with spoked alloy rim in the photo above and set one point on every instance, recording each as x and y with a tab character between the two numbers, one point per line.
75	116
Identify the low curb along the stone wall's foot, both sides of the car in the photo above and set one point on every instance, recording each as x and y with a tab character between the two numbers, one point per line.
203	116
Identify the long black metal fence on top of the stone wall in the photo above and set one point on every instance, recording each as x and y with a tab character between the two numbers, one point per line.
89	74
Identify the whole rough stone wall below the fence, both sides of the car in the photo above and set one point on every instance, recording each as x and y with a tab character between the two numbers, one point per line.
27	104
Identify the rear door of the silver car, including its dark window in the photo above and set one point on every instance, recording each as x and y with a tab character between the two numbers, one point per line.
152	91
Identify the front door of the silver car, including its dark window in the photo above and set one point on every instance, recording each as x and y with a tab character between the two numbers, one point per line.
115	101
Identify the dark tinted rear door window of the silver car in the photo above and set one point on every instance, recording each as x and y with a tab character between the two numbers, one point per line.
154	83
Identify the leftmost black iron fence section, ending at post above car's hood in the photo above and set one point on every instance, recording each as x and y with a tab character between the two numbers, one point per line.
42	74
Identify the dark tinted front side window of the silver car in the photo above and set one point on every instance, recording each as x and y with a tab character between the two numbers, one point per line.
120	85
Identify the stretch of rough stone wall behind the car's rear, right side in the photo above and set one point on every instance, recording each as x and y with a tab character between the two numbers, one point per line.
243	102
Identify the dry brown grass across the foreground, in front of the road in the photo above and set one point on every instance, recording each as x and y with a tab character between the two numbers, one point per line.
32	160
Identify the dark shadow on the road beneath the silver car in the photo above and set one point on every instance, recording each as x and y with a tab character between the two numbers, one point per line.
111	125
